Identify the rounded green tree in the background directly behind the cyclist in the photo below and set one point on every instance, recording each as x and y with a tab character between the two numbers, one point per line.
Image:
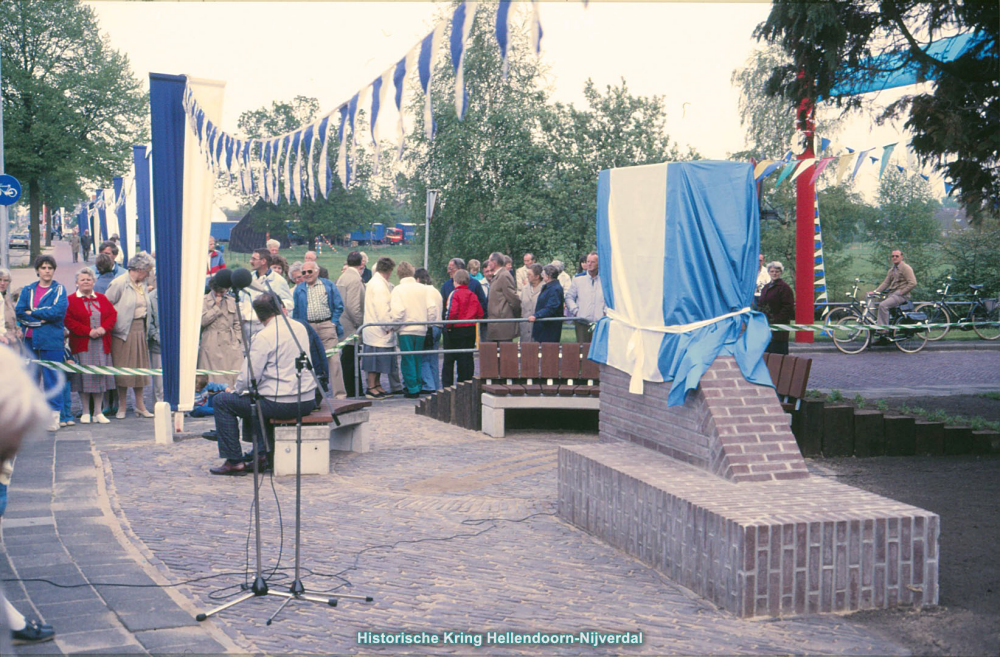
904	220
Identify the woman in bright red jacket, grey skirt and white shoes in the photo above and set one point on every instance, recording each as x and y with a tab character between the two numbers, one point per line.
89	320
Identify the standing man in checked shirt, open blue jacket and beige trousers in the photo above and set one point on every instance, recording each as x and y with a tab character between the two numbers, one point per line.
318	303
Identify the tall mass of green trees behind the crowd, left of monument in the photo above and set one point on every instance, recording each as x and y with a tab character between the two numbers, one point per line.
519	173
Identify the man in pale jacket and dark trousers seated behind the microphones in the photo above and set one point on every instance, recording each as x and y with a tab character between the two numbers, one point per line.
272	359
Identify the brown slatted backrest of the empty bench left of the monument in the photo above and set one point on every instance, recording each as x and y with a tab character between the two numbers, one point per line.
531	360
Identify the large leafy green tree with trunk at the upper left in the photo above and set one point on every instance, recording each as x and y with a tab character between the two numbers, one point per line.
72	106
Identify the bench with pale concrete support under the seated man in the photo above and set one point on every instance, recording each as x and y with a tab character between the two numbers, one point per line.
320	435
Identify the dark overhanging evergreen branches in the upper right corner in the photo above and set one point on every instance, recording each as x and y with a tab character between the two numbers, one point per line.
832	42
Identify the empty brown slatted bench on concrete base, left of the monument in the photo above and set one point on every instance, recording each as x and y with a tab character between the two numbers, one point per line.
530	375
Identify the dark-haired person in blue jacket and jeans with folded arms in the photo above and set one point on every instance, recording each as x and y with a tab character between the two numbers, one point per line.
41	309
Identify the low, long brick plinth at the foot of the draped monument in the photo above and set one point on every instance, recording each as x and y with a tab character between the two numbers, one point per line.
765	548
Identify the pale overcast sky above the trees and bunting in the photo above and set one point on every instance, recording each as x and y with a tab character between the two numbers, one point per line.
266	51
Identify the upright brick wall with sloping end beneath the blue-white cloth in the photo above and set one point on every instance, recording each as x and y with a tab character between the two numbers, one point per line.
727	426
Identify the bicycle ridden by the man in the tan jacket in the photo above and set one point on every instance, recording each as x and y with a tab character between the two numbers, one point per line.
853	334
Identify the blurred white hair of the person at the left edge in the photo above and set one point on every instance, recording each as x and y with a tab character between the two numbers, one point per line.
23	409
